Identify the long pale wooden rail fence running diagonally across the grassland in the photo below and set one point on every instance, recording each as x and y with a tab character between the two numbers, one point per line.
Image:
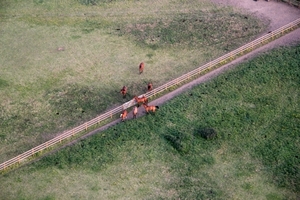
186	77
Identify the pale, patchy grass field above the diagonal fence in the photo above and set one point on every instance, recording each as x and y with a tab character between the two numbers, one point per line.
64	62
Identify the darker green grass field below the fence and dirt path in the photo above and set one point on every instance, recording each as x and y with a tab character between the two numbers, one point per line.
249	115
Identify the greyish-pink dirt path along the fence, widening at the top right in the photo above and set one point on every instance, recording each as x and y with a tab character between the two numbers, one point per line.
274	13
